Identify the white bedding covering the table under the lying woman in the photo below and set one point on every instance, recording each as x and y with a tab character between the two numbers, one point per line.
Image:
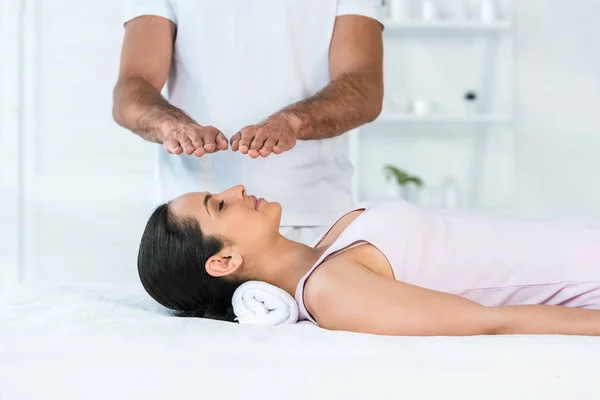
112	342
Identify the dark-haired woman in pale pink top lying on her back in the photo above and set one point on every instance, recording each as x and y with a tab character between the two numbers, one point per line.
387	268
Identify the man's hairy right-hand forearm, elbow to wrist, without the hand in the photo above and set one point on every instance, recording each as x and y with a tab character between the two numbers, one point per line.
348	102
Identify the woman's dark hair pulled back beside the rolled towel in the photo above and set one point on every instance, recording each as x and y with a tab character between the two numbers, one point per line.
171	265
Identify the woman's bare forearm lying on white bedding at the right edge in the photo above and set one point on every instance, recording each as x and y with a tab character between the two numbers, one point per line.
534	319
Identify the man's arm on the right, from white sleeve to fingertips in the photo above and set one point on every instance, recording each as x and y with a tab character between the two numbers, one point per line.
353	97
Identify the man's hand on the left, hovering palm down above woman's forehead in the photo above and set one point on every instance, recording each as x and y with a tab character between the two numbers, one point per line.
180	137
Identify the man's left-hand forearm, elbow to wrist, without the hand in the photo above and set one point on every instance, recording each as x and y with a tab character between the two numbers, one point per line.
141	108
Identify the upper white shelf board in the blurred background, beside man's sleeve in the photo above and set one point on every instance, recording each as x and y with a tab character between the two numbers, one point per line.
444	25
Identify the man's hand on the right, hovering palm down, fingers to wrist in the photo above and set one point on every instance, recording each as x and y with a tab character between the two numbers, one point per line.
274	135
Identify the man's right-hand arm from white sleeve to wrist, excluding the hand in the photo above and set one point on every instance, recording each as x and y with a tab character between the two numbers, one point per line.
355	94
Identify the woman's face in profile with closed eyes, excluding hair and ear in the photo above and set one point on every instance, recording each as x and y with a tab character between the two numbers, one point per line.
243	220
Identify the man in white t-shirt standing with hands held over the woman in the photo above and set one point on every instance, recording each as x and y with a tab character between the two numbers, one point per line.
259	93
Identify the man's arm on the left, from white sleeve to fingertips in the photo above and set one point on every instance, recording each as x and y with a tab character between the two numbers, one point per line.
138	104
